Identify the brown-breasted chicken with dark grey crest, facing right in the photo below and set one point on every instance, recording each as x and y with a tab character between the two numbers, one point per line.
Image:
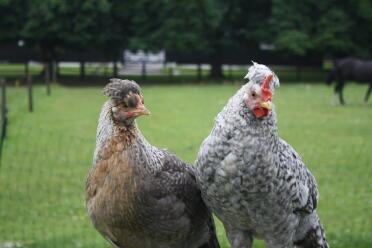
139	196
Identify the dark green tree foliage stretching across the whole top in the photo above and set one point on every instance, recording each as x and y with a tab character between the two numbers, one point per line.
328	27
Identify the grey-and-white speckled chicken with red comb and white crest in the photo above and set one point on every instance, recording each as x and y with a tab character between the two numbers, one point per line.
254	181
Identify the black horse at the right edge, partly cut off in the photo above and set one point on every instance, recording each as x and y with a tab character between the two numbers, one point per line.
351	69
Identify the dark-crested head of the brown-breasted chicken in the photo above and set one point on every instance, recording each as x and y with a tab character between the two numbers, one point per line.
126	100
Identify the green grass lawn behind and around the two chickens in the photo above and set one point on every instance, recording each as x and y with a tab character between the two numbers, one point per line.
48	153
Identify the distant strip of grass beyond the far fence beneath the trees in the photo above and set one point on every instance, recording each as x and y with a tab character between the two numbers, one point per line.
94	73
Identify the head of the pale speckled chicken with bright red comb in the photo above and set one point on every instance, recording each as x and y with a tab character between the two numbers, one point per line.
260	90
